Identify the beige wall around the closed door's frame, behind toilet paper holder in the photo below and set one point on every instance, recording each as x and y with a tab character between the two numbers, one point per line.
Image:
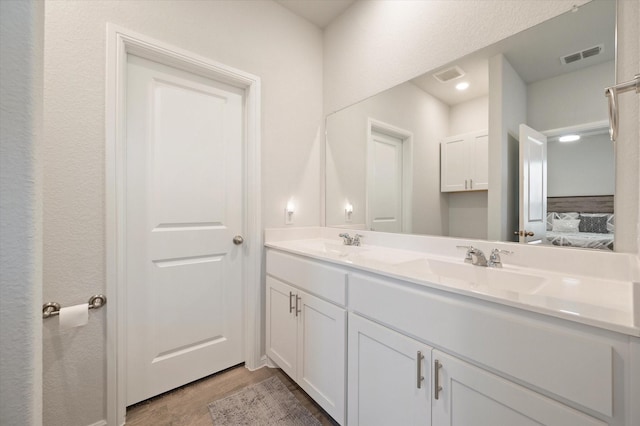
259	37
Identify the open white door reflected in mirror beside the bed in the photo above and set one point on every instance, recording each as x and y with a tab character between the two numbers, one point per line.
533	186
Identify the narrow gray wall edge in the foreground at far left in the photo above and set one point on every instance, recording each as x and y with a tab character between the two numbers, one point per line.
21	47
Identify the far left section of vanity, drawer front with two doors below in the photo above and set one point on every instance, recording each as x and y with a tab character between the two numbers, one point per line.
305	334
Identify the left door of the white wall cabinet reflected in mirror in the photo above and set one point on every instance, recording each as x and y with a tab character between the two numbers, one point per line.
454	164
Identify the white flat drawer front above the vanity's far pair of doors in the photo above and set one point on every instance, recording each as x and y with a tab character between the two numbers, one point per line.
314	277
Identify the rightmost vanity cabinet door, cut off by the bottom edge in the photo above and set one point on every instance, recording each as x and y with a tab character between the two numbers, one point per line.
472	396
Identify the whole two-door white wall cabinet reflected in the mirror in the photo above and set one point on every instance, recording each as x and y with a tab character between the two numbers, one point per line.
464	162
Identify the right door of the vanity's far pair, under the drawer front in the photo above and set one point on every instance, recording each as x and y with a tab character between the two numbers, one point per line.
321	353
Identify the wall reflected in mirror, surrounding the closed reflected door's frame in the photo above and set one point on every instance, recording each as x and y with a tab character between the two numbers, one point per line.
411	109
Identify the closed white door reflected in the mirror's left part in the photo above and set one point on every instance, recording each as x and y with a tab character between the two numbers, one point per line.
385	183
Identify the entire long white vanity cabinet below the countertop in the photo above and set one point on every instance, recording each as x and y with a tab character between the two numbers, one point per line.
417	355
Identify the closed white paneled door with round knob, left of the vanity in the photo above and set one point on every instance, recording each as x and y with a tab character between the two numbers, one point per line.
184	206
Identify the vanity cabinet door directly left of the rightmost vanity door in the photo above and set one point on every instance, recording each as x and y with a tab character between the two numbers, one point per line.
384	367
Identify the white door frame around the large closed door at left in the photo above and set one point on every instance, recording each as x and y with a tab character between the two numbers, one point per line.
121	42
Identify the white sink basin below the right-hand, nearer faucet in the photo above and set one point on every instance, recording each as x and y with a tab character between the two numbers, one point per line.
478	277
